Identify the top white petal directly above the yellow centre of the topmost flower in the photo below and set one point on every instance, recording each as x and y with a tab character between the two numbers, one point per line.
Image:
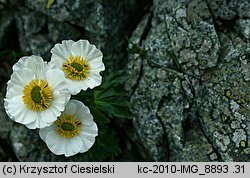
81	48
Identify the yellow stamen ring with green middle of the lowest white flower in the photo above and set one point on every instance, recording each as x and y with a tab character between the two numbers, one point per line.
68	126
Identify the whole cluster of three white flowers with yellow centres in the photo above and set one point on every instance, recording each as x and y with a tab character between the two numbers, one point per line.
38	95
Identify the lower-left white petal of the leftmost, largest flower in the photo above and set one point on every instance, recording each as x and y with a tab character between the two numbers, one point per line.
18	111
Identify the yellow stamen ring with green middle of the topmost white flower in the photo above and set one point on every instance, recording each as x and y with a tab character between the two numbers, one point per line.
76	68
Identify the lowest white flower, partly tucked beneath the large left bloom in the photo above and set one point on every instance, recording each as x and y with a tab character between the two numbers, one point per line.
73	132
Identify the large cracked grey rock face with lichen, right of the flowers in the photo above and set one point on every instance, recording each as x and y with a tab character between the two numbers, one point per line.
191	89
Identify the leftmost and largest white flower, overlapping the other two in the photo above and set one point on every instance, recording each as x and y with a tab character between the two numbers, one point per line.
36	93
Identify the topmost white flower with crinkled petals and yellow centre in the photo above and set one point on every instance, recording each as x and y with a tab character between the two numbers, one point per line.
81	63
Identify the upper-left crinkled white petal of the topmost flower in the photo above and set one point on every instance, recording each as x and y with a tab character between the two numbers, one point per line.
62	51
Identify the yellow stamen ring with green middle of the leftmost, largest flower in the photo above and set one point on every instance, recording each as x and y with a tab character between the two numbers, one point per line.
37	95
